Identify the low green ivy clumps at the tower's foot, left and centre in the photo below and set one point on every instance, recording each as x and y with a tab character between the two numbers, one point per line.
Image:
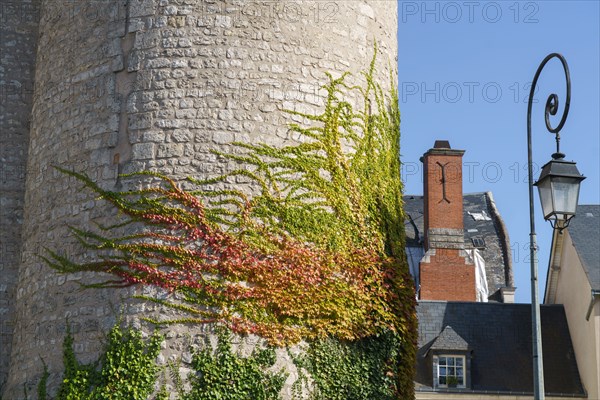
127	370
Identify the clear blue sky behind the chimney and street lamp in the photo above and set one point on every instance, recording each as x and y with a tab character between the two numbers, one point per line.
464	69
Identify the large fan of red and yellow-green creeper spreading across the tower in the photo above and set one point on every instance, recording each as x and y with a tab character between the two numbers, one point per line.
317	253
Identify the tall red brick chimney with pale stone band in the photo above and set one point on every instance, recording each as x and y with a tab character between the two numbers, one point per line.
445	272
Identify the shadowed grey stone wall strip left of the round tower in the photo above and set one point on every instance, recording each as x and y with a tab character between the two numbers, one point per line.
18	32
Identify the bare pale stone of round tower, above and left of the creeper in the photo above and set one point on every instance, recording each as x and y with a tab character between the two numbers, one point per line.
131	85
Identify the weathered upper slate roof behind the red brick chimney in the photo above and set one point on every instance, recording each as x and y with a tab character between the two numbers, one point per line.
481	221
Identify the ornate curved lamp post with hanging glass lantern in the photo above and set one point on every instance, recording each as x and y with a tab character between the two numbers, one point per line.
558	187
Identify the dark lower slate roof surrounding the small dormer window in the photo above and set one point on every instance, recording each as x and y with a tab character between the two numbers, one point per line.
499	337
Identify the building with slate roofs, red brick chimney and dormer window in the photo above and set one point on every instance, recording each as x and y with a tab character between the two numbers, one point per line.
474	342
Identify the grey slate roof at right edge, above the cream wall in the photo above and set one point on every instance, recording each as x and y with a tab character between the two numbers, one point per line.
584	230
